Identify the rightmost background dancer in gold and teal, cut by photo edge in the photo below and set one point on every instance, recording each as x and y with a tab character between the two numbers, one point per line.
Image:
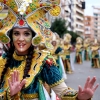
95	60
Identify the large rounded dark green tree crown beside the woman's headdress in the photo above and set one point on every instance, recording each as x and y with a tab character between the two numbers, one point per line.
59	26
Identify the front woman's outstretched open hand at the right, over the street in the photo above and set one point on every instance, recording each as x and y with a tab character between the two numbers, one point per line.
89	89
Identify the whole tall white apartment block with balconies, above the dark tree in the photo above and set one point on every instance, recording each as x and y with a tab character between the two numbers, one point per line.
73	12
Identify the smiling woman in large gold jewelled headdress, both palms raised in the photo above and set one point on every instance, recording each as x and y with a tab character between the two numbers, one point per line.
22	69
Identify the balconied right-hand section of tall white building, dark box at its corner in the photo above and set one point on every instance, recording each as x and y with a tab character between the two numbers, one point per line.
78	17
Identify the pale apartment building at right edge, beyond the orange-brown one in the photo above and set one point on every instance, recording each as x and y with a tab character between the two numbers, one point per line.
96	23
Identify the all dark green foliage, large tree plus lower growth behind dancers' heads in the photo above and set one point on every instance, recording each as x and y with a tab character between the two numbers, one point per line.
59	26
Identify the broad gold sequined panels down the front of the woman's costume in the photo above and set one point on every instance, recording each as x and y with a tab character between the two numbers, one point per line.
35	68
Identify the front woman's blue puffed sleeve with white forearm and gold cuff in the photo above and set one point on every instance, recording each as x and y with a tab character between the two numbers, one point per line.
51	75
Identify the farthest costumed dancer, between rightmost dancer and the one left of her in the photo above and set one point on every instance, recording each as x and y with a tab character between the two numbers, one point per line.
86	46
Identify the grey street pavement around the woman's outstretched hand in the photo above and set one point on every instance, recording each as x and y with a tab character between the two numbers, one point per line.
80	74
